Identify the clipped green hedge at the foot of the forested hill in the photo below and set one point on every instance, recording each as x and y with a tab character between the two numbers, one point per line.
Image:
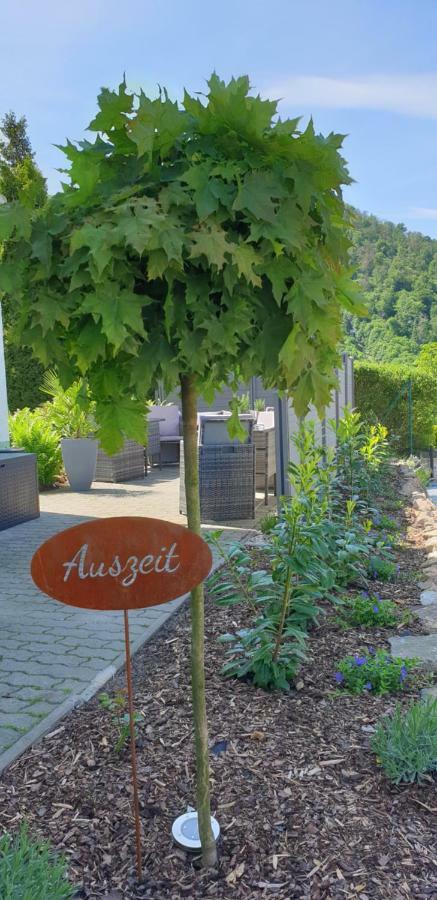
377	385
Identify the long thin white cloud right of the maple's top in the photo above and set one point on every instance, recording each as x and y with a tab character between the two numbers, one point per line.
409	94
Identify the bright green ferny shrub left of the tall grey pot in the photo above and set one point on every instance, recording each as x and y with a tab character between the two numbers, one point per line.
31	430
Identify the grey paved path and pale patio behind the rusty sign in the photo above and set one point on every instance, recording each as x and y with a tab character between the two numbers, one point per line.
54	656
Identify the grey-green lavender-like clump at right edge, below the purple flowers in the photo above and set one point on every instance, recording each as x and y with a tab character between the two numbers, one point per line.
405	743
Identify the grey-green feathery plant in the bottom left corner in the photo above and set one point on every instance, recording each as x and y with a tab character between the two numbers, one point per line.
29	869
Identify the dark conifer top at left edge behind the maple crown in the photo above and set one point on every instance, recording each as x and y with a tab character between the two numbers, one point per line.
20	177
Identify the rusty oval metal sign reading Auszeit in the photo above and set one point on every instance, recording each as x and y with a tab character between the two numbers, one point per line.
127	562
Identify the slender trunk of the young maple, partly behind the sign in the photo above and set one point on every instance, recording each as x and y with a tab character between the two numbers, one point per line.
189	417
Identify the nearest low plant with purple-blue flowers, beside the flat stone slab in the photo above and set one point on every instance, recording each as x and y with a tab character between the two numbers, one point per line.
376	672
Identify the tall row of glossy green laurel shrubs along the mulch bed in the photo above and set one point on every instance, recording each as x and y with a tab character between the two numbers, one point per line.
322	540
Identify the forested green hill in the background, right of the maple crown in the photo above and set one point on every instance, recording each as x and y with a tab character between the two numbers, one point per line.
397	271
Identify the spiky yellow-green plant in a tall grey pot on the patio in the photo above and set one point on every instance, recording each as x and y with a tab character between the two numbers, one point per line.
71	414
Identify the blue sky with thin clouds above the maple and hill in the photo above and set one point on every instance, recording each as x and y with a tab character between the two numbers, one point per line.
366	68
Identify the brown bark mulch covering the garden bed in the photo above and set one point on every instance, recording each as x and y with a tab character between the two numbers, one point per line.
304	810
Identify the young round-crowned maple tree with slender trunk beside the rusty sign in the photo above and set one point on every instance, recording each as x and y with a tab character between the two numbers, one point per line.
189	245
